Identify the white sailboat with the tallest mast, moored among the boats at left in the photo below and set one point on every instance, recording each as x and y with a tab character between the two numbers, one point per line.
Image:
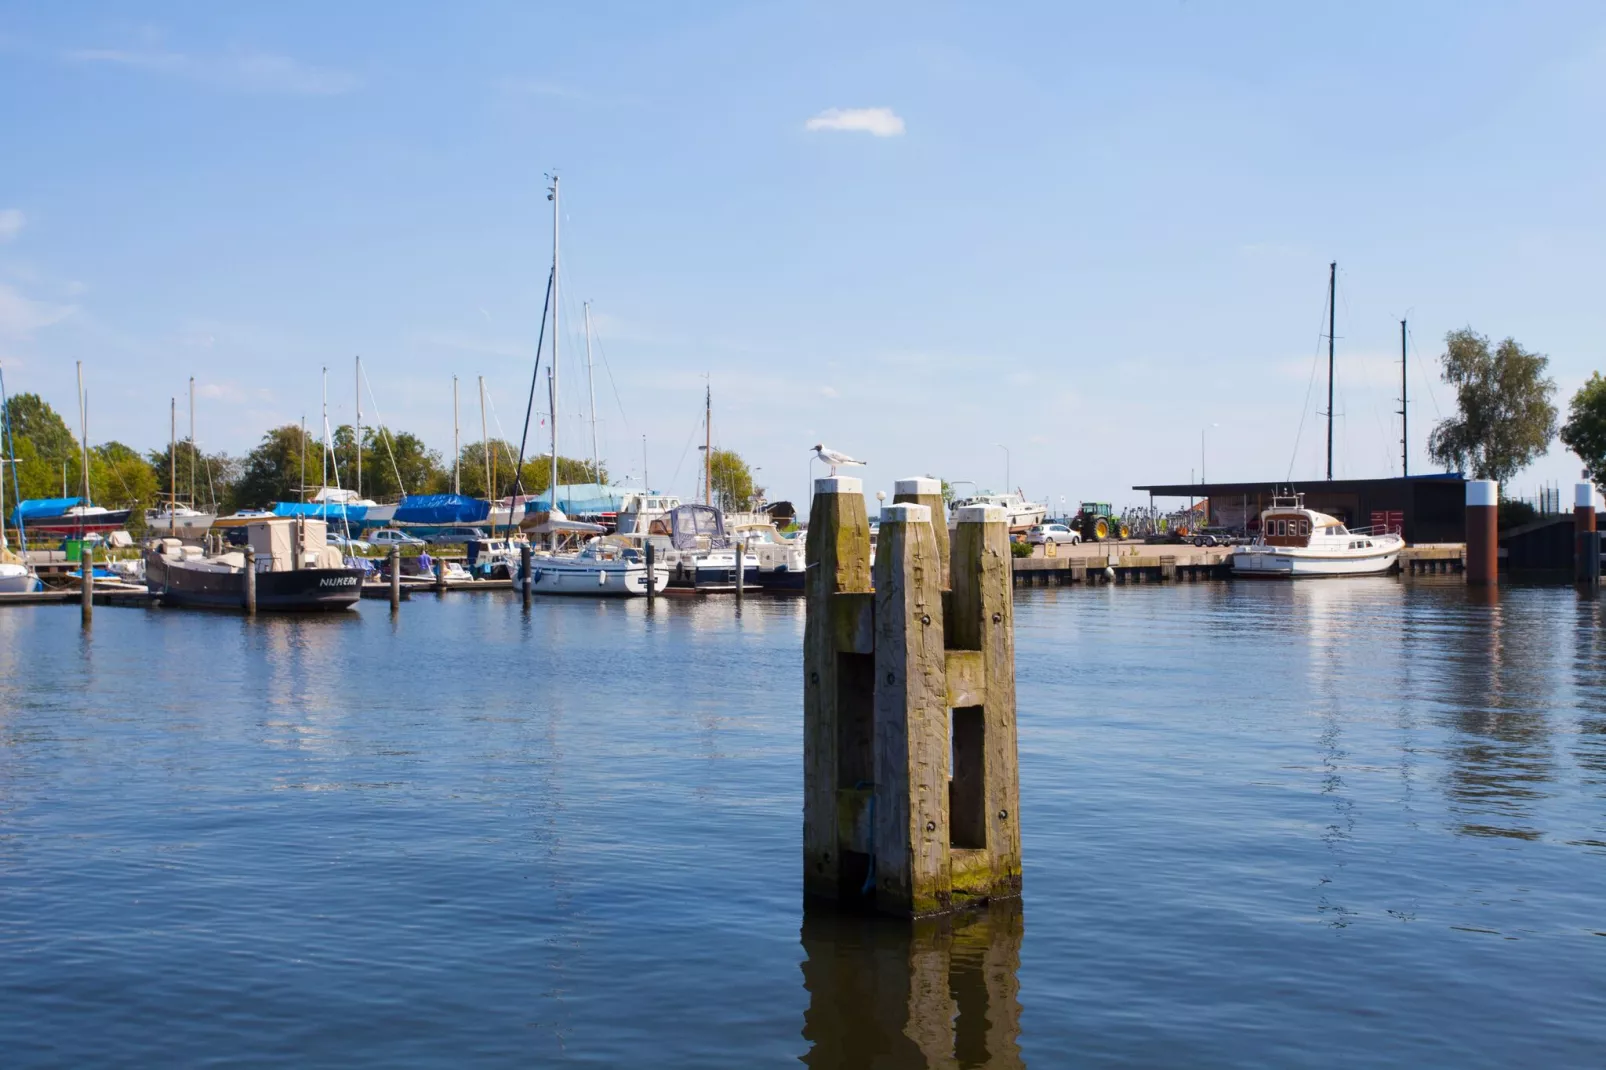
598	570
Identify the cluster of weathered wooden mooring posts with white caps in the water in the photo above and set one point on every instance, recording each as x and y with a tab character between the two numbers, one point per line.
911	788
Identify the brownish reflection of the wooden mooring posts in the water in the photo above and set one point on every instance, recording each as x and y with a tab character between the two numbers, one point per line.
897	997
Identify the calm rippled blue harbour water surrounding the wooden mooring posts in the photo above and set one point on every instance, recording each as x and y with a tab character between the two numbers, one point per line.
1345	823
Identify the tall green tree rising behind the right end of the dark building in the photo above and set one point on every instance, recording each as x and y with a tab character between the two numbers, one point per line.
1506	417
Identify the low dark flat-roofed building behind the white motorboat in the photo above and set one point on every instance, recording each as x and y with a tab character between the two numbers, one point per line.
1424	508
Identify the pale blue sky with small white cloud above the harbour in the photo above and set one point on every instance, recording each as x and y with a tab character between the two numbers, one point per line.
1083	232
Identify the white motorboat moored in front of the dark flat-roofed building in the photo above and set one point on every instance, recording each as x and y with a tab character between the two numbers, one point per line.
1300	542
